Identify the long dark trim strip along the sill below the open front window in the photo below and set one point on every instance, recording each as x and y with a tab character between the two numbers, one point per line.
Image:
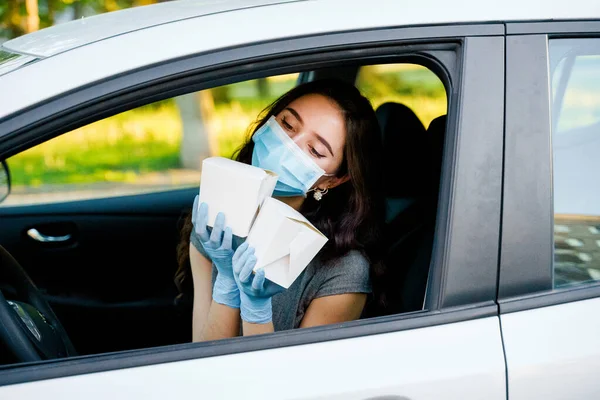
28	372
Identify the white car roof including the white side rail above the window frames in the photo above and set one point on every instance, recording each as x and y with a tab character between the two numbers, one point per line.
70	57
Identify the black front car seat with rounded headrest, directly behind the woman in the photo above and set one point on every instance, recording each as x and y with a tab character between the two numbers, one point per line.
405	148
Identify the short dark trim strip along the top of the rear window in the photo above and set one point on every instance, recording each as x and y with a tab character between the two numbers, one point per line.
554	27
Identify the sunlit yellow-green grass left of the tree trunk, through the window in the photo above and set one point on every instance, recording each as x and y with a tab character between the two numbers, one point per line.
119	149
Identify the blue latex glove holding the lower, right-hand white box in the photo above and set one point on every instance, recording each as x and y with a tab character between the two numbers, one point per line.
255	290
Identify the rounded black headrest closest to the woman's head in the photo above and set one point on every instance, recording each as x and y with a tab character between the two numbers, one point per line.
405	150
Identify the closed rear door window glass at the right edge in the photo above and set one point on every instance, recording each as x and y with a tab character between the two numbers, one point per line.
576	145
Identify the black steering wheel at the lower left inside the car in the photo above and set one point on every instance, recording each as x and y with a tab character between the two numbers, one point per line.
28	326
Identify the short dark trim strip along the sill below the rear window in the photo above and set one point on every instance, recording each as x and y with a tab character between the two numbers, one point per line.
578	292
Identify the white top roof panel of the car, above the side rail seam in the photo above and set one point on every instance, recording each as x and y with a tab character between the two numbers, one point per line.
73	34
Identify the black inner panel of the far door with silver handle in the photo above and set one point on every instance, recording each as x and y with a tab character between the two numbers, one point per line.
106	265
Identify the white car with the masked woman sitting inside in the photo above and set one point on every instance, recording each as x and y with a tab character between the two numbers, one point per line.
498	289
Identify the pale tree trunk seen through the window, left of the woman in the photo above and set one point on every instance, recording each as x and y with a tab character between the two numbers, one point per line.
195	110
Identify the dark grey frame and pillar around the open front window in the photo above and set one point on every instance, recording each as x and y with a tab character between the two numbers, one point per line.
458	255
